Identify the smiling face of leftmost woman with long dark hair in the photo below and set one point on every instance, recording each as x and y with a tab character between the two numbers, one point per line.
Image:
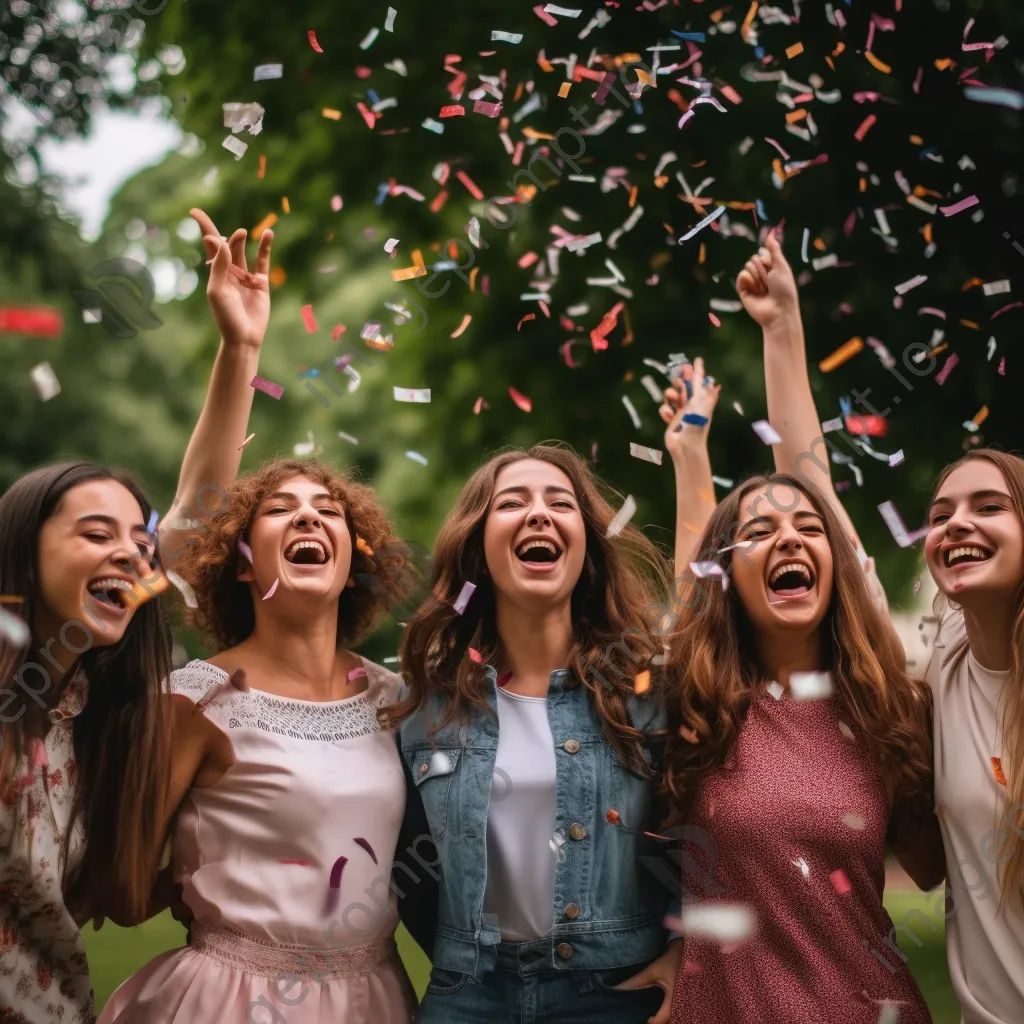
91	551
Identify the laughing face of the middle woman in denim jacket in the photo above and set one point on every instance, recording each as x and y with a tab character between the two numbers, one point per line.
535	540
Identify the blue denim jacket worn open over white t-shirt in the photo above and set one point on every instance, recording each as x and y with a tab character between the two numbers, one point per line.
609	908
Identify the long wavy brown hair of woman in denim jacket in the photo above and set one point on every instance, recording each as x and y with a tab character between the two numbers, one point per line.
623	580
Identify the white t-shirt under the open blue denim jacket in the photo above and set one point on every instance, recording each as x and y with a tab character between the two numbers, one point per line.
522	858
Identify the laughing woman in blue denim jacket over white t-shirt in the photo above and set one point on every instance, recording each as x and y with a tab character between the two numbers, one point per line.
531	735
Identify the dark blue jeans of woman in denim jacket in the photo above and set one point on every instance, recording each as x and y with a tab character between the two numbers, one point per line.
525	991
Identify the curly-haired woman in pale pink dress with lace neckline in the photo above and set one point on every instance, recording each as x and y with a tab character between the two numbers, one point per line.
287	797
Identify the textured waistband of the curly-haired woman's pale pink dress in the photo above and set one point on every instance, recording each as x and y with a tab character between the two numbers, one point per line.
271	960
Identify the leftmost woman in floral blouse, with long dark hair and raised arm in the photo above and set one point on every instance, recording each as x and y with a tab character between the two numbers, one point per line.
80	708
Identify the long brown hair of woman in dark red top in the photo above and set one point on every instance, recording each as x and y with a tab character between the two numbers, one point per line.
714	671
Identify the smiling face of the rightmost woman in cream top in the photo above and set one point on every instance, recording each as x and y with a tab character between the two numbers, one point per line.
975	549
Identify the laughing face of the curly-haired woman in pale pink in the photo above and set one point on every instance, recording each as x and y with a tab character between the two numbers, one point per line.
300	537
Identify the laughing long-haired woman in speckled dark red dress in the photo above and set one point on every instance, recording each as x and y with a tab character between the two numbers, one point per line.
798	747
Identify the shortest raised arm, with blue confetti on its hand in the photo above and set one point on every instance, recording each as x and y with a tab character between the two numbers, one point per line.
688	412
